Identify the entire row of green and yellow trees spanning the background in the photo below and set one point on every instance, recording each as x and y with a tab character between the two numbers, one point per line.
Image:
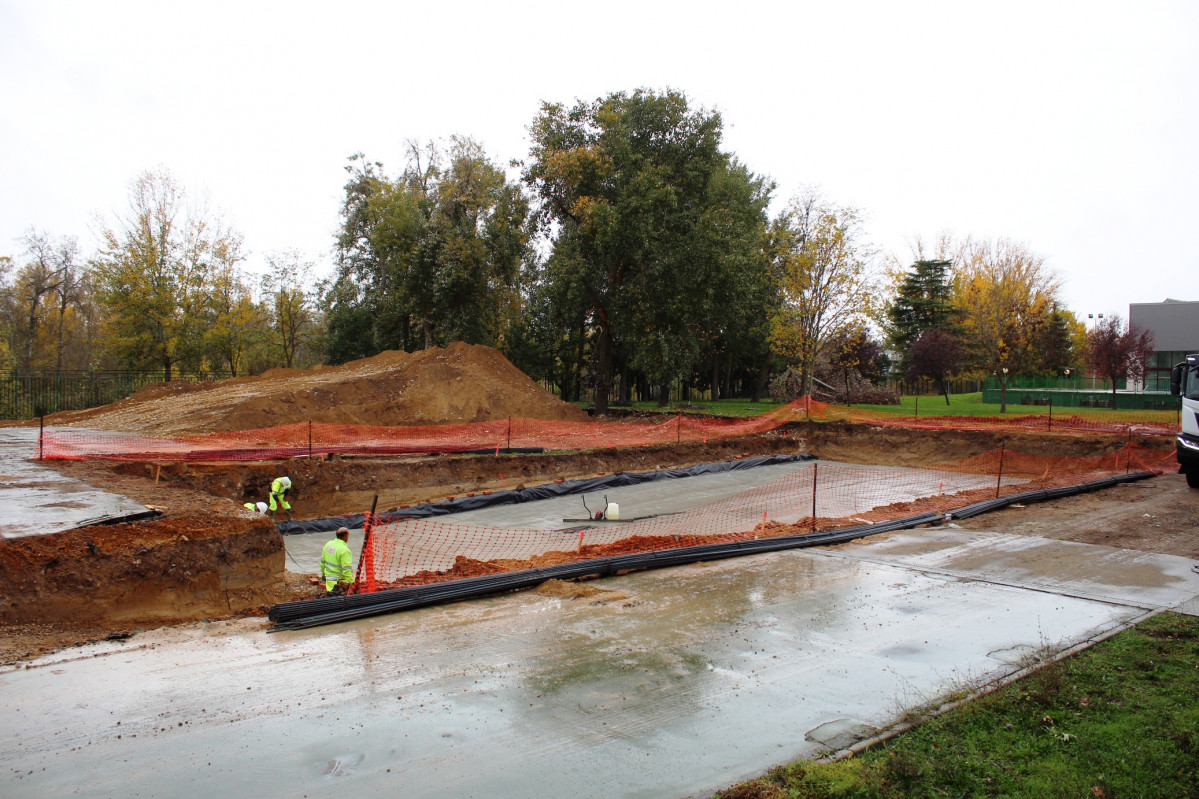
632	254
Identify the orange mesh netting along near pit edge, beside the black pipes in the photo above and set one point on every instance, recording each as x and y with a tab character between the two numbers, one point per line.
817	497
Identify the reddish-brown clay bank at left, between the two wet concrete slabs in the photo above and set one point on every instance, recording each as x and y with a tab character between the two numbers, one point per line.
83	585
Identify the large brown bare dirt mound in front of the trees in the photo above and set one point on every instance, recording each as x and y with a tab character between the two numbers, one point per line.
462	383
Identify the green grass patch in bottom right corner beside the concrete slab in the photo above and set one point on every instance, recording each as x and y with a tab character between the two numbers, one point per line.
1116	722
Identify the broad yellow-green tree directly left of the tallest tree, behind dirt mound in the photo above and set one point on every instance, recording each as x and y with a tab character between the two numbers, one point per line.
431	257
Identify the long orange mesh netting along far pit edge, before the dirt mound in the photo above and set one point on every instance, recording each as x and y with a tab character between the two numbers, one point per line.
320	438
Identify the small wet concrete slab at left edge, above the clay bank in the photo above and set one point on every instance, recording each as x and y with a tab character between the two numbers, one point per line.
39	501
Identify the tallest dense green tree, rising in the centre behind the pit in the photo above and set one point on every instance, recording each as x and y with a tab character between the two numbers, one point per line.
632	185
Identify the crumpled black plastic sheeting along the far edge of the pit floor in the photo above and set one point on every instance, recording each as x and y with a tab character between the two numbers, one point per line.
547	491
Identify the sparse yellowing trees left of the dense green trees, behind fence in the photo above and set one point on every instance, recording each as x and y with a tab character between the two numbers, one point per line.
165	292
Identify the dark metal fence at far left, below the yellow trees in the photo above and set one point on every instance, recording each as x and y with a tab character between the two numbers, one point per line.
31	394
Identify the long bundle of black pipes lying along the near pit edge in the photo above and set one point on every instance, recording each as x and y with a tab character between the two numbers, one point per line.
332	610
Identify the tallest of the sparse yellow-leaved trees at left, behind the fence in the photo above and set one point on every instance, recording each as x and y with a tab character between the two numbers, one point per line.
155	272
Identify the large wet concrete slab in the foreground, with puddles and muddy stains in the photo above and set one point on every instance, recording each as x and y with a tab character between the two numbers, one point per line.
694	680
